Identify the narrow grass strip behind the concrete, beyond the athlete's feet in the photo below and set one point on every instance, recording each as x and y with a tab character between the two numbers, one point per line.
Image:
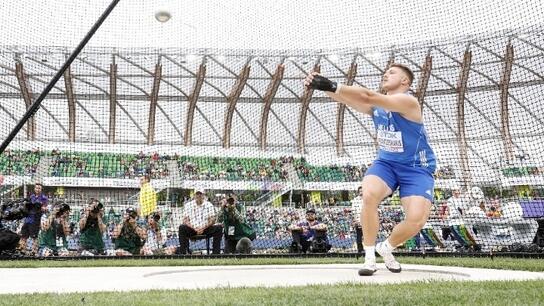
473	262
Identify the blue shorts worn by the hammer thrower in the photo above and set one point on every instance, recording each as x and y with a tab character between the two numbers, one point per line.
411	180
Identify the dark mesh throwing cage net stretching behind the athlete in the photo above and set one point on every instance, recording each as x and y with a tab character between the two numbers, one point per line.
211	102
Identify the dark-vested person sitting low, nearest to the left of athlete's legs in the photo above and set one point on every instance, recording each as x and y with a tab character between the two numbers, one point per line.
310	235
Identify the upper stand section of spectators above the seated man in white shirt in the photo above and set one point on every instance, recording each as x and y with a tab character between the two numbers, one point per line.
233	169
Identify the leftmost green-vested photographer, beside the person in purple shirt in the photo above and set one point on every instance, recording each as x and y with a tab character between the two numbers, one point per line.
55	229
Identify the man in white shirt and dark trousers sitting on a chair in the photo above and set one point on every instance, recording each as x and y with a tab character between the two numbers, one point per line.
198	219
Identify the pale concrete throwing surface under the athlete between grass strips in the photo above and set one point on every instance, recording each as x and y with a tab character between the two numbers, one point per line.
30	280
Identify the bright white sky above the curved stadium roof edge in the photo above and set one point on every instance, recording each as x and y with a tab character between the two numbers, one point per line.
260	24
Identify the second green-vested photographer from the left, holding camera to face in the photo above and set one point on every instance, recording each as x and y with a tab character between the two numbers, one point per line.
92	227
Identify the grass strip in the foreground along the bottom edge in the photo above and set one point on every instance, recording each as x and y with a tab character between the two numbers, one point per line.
438	293
